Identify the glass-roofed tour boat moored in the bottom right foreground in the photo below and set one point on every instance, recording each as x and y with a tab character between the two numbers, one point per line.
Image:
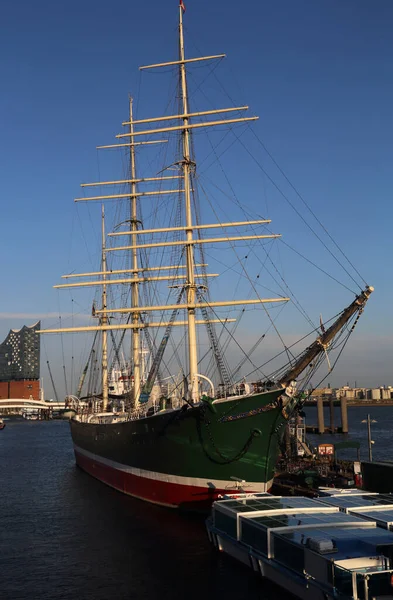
312	550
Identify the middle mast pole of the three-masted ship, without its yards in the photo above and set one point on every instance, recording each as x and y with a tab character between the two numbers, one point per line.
136	350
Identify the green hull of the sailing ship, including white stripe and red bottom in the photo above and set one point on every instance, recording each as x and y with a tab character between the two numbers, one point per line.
205	448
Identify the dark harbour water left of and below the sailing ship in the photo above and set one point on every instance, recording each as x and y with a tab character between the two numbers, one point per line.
65	535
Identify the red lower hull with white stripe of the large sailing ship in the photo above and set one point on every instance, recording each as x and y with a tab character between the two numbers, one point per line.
166	490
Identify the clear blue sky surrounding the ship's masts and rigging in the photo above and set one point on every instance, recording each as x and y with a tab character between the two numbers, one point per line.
319	75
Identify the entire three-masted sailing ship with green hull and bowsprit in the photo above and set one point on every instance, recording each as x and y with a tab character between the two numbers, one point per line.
184	438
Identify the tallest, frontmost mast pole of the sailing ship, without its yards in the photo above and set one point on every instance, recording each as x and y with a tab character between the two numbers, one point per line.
186	166
